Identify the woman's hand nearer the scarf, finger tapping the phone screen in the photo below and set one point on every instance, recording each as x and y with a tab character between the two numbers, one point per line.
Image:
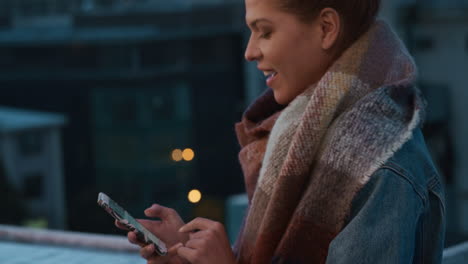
208	243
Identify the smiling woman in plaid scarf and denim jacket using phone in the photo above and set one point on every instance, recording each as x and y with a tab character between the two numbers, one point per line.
335	165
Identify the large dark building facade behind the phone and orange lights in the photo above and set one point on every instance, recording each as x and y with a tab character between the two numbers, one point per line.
136	85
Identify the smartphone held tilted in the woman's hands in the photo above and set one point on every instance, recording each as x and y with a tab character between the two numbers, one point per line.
126	219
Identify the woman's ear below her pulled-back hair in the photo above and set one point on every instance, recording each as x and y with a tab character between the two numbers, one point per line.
330	25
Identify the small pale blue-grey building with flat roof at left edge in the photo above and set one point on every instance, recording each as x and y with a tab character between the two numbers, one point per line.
31	153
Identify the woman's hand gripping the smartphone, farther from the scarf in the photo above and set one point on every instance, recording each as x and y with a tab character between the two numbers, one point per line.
166	230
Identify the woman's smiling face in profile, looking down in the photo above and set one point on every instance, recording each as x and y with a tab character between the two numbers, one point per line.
289	52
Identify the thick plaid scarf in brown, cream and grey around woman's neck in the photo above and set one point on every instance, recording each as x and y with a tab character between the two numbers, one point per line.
304	164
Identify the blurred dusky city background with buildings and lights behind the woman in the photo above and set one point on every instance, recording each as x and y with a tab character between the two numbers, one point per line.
138	99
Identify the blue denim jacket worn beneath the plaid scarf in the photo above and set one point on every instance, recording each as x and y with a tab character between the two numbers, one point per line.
399	215
